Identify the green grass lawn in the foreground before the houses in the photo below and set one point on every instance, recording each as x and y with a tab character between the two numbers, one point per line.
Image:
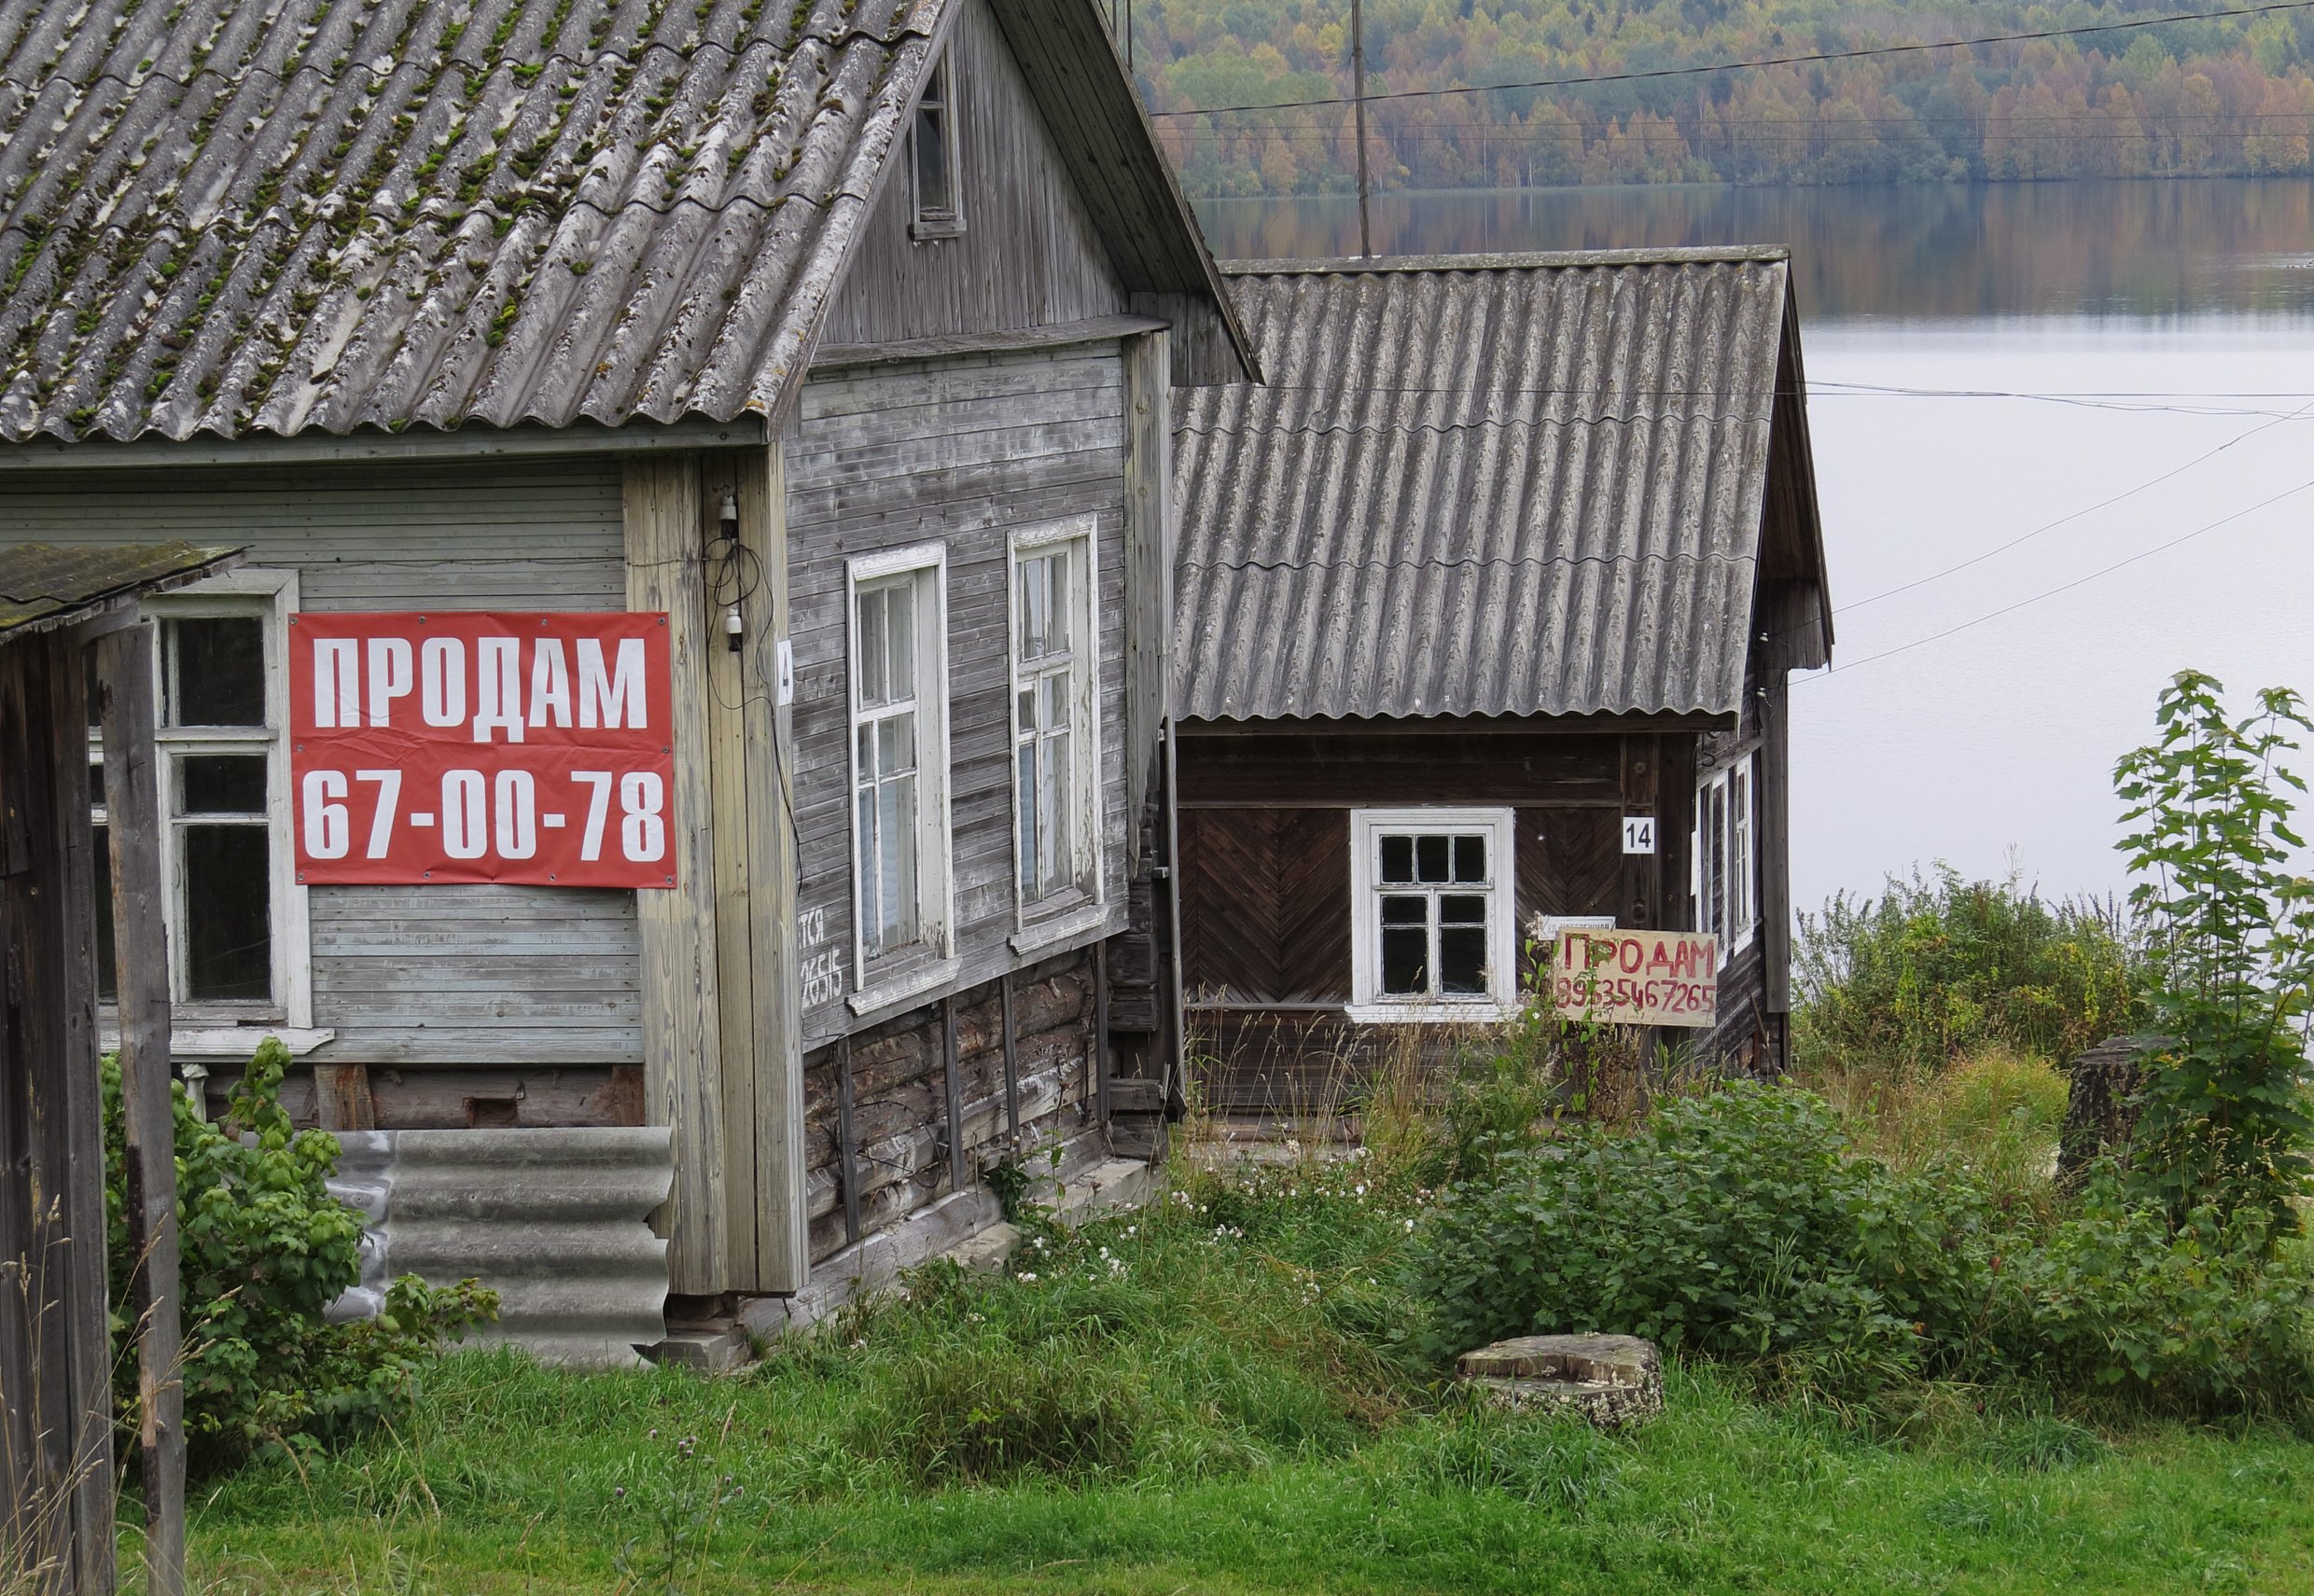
1221	1403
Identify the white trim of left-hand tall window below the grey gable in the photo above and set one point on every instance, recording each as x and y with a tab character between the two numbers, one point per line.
936	871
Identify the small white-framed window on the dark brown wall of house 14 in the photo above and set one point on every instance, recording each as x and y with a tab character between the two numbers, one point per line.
1438	899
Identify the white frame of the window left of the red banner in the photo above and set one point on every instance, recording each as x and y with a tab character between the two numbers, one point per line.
228	1028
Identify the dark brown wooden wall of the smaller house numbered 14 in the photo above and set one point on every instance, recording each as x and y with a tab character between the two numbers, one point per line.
1267	887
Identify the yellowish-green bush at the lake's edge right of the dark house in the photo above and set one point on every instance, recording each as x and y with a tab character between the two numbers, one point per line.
1938	968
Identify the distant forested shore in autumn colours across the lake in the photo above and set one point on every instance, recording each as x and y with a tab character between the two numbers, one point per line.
2206	98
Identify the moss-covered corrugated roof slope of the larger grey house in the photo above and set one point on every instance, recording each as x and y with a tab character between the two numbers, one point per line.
325	214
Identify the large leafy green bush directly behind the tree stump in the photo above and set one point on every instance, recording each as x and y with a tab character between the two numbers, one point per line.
1732	1227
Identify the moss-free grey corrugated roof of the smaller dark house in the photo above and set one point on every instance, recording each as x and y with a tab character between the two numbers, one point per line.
1480	487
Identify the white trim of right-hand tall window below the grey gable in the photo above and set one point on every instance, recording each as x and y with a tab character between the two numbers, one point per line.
1086	820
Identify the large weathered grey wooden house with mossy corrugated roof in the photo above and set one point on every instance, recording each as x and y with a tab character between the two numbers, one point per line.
841	334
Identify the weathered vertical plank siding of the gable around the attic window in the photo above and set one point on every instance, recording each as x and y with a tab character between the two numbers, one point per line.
1029	253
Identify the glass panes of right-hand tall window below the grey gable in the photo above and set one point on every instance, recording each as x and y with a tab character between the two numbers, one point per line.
1052	677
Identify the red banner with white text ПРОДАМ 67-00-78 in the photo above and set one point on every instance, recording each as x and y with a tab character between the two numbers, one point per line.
466	746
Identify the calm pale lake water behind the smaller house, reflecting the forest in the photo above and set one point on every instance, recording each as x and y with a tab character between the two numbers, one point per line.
2098	399
